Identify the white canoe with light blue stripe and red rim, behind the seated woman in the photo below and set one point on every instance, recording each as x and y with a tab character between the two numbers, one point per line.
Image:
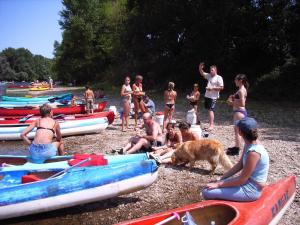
69	126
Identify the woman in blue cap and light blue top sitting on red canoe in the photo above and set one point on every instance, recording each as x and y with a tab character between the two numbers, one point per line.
254	167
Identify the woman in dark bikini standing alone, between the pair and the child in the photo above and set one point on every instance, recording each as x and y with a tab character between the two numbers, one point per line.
170	98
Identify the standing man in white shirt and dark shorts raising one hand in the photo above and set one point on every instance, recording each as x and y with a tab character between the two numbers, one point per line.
214	86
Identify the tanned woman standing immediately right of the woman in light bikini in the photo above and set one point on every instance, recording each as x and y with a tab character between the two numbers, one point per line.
138	94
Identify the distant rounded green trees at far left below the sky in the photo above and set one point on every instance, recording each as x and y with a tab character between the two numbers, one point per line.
21	65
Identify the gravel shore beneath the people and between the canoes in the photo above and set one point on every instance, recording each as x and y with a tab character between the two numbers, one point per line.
177	186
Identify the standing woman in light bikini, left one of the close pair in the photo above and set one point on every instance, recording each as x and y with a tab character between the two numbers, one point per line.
126	92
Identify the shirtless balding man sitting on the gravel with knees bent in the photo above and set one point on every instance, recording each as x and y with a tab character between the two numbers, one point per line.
152	138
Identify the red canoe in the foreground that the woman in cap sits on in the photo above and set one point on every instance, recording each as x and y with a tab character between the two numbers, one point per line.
268	209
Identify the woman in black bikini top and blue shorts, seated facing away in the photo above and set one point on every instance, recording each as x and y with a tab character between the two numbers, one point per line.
42	147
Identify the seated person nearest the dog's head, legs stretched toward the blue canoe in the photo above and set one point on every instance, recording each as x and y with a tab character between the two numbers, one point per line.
186	135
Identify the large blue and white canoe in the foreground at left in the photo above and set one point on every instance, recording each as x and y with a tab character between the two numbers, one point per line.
76	186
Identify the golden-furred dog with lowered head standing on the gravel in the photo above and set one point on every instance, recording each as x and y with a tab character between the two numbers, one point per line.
204	149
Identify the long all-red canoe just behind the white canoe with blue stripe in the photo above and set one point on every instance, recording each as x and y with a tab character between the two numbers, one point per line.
23	111
